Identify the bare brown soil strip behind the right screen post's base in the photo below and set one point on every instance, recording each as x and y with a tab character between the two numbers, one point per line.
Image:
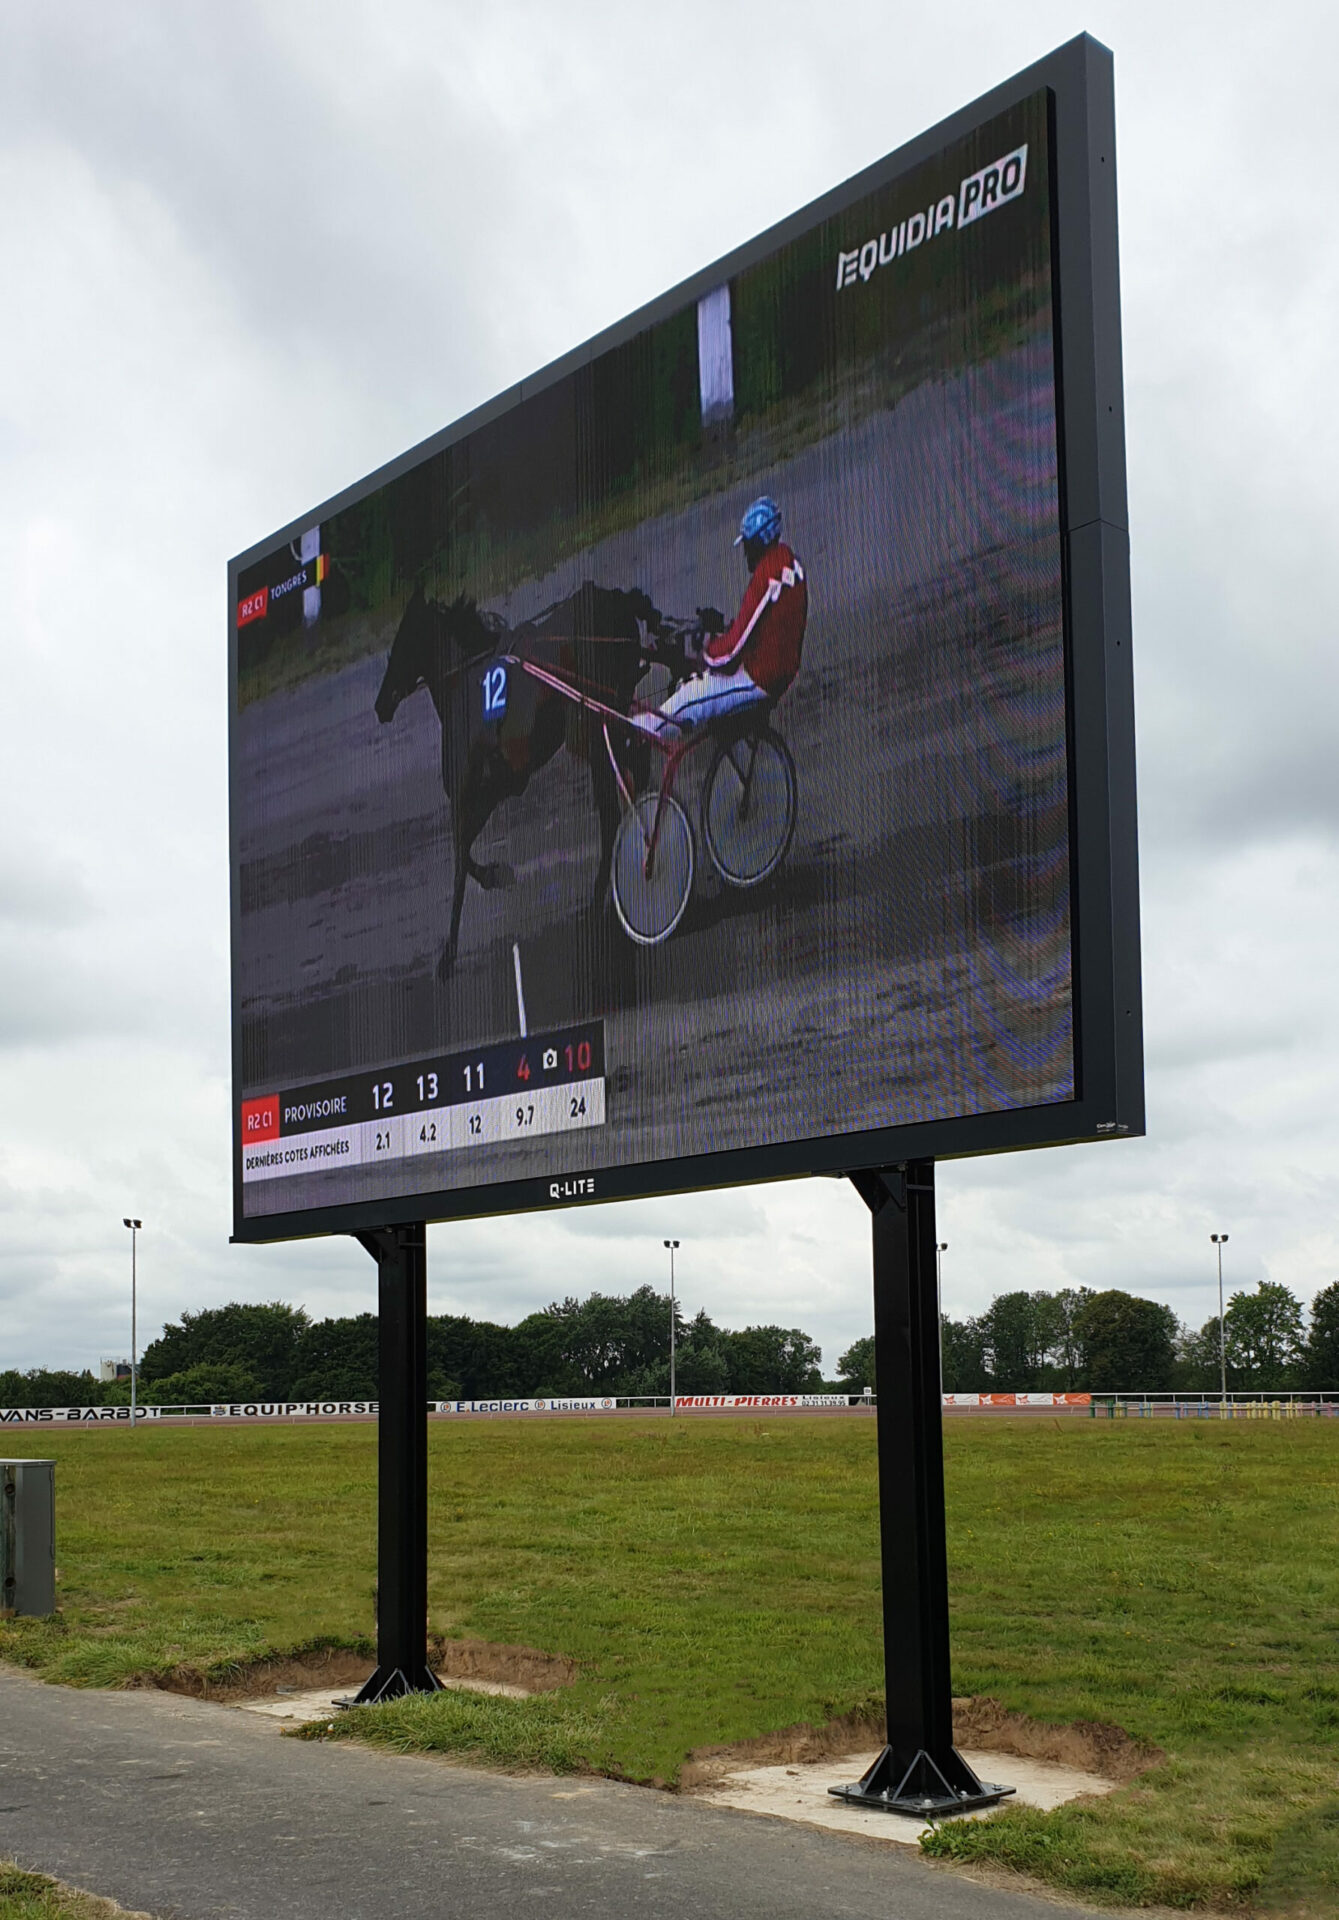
979	1723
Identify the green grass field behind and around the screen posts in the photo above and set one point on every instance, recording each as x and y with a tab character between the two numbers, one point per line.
719	1579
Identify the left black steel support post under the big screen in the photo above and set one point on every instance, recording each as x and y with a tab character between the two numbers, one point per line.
402	1466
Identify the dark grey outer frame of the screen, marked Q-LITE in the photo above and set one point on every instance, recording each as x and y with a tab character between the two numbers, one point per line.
1096	564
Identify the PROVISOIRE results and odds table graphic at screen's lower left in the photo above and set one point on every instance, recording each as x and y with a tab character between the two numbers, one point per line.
550	1084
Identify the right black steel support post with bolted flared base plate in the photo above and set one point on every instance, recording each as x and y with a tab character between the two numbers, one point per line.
919	1771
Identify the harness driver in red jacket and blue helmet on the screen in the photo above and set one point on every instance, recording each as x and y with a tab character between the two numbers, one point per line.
758	656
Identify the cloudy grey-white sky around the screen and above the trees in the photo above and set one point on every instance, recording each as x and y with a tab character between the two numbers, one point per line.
253	252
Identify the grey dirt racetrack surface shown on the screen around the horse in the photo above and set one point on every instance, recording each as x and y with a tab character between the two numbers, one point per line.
912	957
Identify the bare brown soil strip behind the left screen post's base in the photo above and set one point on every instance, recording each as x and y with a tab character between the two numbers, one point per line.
345	1669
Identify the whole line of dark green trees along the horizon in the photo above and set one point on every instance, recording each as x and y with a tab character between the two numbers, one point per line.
620	1345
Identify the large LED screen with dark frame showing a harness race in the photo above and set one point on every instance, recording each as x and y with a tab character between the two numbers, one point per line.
714	759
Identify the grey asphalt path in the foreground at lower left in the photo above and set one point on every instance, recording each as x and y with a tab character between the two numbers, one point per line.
207	1813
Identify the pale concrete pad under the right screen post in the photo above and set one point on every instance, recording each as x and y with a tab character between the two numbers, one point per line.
800	1792
